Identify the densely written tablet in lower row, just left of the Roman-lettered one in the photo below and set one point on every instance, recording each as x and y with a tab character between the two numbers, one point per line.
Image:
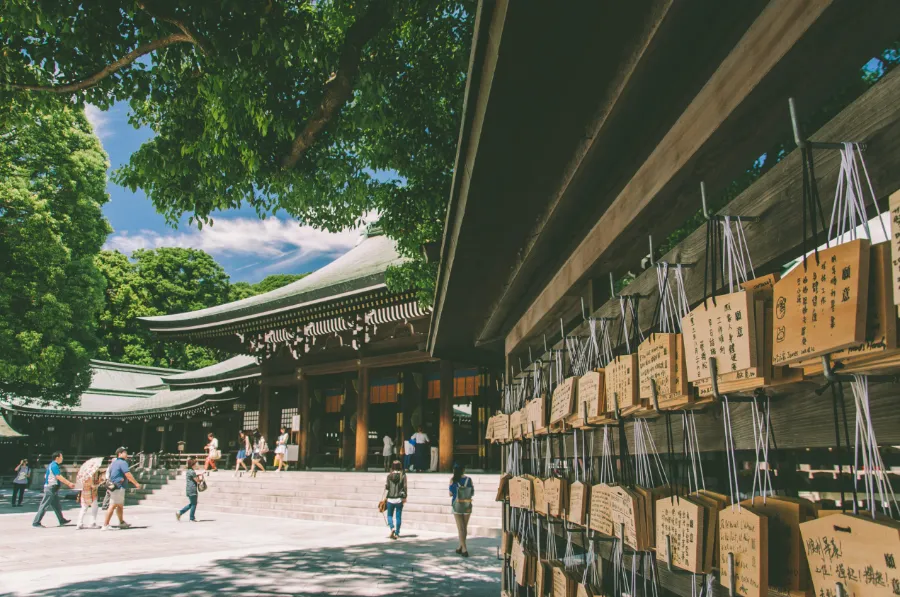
681	519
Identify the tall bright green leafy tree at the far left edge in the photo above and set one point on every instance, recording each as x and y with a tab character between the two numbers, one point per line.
52	184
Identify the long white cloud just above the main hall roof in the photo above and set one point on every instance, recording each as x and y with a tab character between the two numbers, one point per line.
272	239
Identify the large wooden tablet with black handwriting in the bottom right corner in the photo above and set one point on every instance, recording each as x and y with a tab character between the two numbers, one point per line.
861	553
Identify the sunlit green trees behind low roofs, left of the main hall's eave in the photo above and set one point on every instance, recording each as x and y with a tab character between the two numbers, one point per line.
157	282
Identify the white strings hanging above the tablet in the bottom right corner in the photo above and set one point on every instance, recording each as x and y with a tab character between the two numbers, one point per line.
874	471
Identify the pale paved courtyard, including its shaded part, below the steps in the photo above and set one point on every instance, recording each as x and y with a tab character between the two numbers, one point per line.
228	554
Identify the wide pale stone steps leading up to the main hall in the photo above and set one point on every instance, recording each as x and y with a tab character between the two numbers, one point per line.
344	497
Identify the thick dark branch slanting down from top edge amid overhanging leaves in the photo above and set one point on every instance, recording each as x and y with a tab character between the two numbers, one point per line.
339	87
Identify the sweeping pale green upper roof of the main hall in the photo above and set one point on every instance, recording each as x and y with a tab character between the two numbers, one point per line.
360	270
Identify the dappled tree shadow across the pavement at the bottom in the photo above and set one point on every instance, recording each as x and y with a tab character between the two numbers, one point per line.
421	568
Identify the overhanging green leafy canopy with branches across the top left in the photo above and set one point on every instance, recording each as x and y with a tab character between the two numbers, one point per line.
291	104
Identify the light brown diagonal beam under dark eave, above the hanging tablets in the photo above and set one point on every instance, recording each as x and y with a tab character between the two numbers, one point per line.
781	25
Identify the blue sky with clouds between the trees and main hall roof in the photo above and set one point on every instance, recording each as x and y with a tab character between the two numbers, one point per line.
248	248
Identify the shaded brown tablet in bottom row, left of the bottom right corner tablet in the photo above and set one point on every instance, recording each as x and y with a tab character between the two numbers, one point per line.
787	564
